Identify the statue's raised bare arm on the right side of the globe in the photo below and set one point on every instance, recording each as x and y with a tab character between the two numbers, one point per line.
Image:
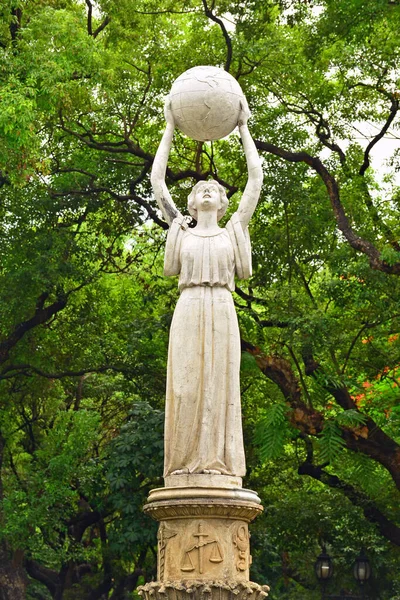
252	190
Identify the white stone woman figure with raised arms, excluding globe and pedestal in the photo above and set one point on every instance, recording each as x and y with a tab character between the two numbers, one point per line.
203	428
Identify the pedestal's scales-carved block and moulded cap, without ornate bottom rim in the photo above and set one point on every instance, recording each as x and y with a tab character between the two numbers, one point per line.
203	533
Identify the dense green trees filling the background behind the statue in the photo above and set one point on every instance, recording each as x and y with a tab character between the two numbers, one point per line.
85	310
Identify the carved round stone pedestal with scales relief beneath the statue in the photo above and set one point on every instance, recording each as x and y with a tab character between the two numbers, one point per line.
203	539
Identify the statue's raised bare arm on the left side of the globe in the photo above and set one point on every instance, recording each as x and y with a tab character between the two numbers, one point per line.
163	197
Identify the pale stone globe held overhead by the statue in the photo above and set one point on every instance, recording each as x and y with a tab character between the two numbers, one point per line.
205	103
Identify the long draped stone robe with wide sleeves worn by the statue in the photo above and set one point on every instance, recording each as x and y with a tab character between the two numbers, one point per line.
203	426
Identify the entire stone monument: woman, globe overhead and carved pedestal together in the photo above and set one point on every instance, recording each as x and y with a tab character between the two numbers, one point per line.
203	540
